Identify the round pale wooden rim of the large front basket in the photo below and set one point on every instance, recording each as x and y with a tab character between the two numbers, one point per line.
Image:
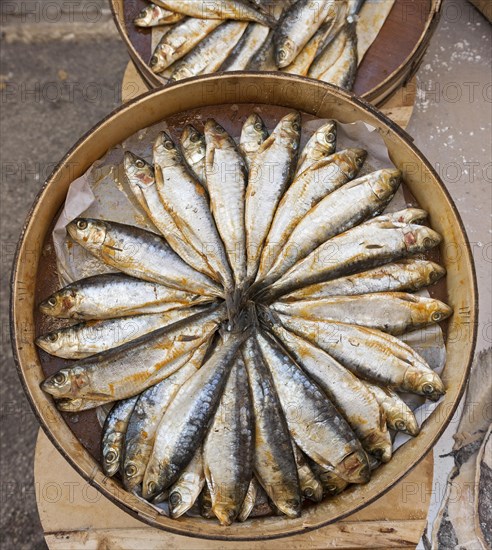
209	93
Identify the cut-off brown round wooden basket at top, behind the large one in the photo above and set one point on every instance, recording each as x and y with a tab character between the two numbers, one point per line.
389	64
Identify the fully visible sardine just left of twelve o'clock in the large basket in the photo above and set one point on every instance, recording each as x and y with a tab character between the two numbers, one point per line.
226	181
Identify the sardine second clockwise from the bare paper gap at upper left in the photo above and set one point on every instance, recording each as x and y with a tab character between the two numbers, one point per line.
186	201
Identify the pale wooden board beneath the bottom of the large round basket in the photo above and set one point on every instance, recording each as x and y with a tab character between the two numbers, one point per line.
75	516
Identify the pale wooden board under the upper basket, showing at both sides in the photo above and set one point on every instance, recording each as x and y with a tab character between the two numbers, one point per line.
399	107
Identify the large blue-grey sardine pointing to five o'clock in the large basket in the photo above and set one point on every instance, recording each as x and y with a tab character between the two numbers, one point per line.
313	422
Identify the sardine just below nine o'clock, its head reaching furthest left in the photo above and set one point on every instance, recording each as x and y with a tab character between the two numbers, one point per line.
90	337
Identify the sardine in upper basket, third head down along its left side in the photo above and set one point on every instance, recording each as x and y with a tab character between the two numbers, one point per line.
212	51
